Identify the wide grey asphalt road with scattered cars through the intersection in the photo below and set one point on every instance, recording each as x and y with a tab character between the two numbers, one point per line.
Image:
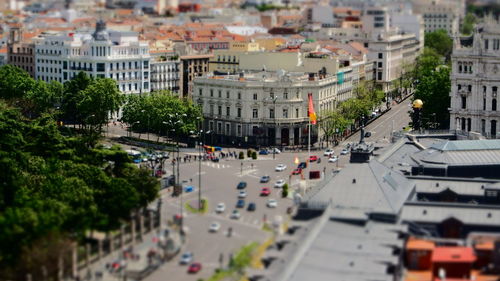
218	184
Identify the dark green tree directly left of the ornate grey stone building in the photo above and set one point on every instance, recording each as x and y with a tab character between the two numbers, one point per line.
434	89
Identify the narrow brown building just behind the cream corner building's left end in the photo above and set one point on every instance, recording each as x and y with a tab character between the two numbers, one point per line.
192	66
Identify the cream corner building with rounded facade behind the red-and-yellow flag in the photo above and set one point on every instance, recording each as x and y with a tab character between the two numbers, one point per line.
267	108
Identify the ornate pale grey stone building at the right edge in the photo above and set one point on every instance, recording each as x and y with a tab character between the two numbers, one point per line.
475	82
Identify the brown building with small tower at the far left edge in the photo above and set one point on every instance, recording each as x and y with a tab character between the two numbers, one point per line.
20	53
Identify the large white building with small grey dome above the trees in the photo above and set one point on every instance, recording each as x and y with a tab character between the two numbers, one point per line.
103	54
